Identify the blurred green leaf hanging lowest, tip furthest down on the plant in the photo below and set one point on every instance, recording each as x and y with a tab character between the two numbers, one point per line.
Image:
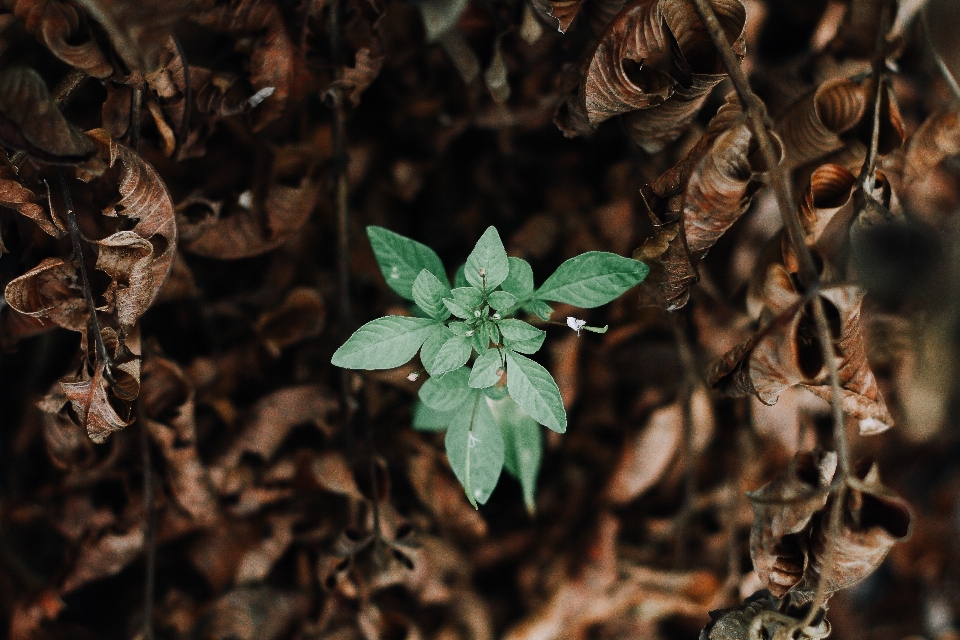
523	444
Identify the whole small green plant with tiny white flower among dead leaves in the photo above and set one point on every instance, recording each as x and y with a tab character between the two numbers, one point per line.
492	410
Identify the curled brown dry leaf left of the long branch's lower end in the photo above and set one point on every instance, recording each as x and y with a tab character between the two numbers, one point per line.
783	510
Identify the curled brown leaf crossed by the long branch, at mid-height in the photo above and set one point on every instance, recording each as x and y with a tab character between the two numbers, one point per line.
786	352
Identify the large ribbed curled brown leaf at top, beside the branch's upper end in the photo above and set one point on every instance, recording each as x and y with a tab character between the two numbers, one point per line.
656	62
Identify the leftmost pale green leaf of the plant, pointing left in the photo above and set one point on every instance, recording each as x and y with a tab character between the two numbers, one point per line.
384	343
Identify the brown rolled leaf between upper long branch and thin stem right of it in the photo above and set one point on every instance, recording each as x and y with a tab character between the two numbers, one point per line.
811	127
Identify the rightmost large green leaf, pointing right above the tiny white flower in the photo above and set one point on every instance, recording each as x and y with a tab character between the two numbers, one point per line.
592	279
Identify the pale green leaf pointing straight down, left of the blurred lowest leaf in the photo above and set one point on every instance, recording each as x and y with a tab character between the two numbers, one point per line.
476	452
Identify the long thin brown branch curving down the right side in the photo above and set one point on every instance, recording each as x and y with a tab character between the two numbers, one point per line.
809	278
